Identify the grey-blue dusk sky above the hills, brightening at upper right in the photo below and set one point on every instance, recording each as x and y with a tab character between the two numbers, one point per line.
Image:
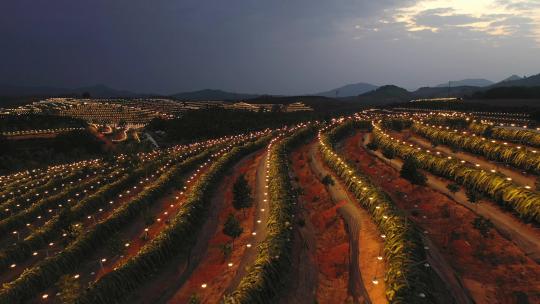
256	46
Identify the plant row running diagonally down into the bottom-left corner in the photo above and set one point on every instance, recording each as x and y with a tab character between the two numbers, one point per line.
48	271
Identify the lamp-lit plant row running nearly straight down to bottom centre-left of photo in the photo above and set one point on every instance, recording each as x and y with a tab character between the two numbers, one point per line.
268	275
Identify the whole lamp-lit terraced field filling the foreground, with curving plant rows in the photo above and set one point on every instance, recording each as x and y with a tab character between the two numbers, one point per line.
371	208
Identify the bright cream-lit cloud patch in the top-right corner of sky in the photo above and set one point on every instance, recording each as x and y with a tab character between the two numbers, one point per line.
494	19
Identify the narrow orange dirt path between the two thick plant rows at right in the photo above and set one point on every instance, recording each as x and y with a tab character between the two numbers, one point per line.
517	176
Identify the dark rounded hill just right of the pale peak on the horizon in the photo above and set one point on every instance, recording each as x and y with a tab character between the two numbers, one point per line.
384	95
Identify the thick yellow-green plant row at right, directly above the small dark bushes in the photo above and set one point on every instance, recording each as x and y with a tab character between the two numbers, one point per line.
524	202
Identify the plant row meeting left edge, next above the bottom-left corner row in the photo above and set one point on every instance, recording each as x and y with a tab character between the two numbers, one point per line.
70	214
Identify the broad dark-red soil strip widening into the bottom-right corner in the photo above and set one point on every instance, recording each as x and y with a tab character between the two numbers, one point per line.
493	269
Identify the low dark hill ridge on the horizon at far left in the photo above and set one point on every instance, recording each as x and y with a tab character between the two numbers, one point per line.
99	91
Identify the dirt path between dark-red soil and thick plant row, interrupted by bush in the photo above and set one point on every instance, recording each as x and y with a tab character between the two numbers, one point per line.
524	236
